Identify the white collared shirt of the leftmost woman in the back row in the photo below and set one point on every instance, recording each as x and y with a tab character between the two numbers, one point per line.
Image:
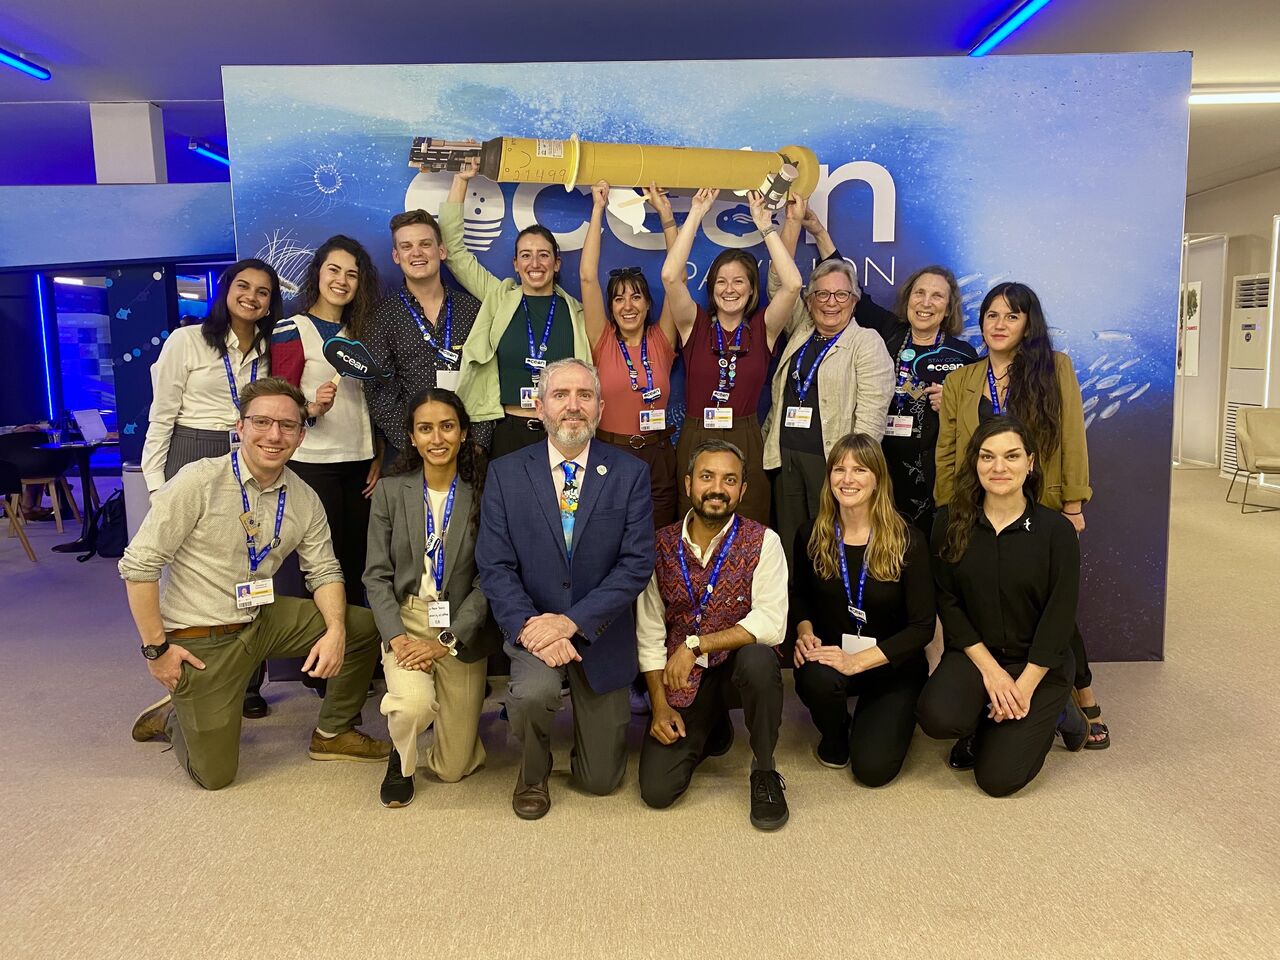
189	388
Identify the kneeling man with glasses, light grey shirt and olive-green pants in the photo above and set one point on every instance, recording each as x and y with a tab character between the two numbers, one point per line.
223	527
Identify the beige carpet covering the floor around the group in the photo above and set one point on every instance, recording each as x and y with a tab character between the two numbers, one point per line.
1163	847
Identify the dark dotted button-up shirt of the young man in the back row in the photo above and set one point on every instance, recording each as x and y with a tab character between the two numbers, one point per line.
397	345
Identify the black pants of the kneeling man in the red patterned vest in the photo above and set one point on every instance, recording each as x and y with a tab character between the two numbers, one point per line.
752	679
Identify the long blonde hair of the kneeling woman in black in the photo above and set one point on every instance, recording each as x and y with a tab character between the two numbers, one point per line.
886	551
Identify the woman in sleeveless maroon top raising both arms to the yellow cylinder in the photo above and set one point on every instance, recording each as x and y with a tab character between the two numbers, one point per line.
728	346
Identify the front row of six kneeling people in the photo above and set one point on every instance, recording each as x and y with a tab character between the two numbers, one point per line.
555	545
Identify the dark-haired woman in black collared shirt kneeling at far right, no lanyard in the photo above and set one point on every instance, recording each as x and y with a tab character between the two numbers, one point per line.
1008	575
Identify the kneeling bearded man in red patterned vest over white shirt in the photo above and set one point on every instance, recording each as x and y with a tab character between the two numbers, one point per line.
708	629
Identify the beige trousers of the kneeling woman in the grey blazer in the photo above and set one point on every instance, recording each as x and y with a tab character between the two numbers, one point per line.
451	697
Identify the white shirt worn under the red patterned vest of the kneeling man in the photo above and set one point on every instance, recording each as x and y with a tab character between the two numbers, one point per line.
766	621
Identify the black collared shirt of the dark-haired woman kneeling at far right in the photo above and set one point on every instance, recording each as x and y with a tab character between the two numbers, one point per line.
1016	591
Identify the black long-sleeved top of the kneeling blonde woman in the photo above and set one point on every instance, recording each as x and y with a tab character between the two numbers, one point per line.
899	615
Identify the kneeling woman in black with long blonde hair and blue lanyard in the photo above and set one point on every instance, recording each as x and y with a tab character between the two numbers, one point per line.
863	597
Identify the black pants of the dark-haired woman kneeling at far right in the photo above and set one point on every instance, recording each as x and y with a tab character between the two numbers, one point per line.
1011	755
